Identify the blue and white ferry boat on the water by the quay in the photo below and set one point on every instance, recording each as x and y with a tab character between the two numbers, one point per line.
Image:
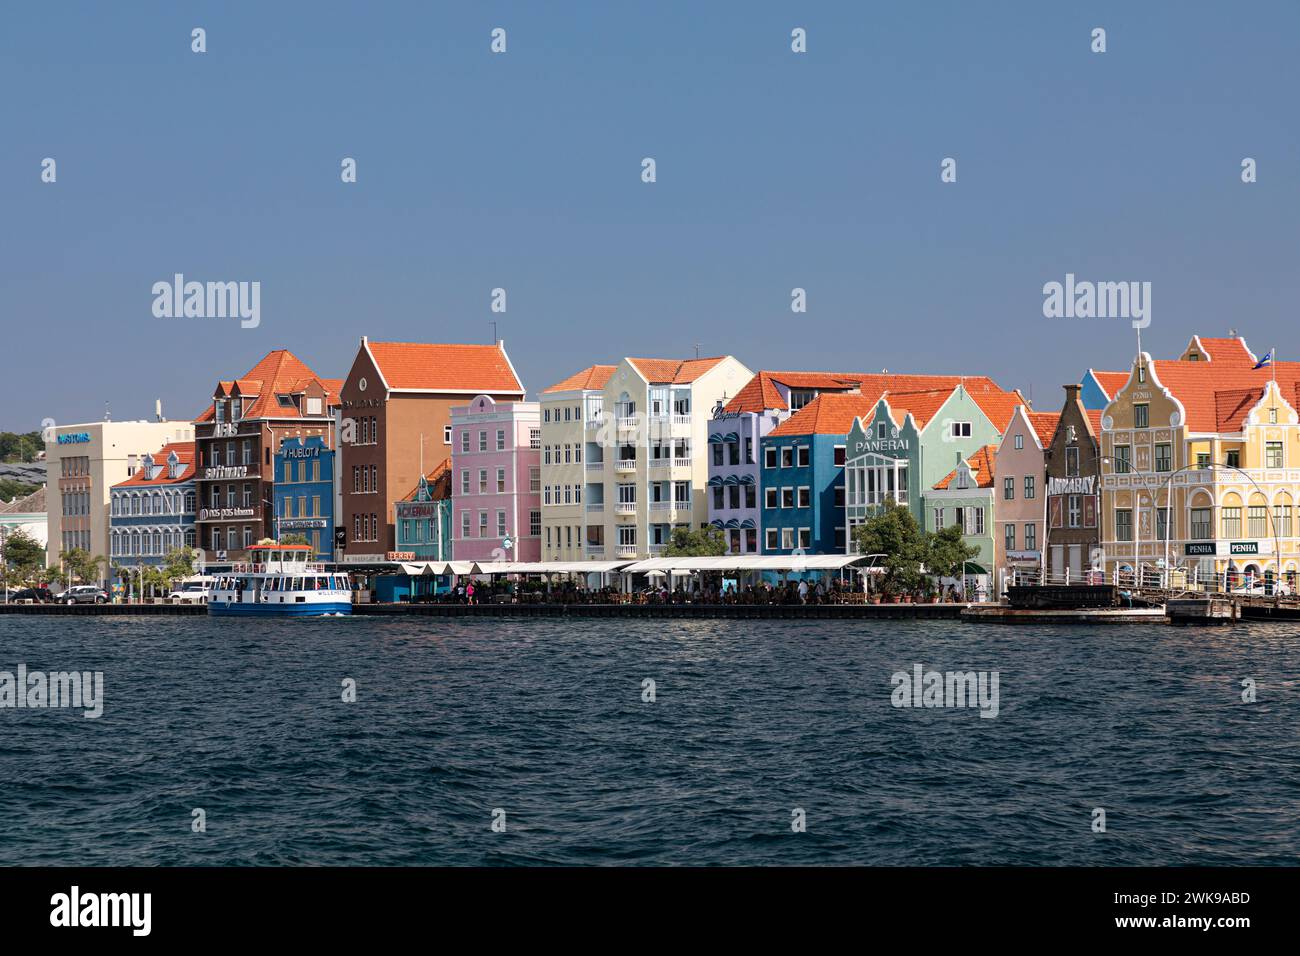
280	582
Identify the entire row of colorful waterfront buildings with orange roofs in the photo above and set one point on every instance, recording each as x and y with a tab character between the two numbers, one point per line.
431	452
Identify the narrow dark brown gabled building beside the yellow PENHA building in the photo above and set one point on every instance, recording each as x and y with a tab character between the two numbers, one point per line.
1073	534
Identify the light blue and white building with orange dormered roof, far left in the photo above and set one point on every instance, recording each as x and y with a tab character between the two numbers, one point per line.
154	511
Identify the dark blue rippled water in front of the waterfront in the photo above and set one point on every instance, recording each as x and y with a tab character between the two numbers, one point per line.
547	721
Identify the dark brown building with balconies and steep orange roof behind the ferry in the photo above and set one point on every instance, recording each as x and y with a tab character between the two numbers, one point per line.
236	443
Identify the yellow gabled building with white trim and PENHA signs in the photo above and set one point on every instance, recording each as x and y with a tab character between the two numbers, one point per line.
1202	466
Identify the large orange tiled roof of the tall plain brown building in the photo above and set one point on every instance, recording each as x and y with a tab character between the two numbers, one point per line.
434	366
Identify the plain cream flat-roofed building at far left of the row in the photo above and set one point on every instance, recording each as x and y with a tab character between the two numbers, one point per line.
84	464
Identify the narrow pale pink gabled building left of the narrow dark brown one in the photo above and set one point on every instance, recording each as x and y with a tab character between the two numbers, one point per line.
1021	501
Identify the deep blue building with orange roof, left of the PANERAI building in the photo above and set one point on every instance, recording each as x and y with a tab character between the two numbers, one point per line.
803	477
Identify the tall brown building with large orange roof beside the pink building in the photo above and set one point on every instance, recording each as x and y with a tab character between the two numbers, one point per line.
397	426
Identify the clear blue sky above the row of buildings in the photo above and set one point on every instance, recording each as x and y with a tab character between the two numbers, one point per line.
523	171
